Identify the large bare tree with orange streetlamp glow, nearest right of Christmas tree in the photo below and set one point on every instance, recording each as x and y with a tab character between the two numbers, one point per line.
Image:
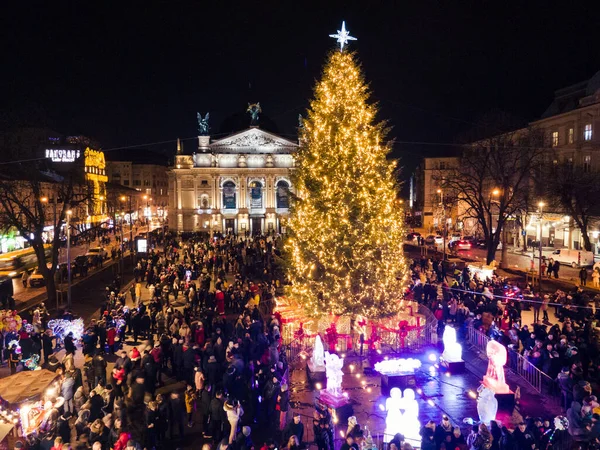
493	181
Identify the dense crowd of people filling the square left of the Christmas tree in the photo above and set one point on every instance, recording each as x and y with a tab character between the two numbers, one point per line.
203	352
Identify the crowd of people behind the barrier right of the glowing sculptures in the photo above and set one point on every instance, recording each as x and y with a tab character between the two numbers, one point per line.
567	351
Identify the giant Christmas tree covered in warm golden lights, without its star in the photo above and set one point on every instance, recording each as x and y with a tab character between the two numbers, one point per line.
346	231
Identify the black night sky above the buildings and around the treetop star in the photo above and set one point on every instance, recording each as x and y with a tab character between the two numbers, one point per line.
129	73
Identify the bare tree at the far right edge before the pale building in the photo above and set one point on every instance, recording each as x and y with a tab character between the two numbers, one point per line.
573	189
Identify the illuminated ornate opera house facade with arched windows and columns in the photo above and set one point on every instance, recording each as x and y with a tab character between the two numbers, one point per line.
239	184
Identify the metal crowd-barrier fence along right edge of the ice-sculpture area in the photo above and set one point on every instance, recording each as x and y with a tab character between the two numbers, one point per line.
519	365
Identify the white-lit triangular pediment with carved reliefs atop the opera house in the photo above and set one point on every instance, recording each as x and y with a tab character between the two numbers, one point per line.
254	140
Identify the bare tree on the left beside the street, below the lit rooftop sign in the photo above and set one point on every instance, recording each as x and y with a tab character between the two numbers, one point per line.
34	196
